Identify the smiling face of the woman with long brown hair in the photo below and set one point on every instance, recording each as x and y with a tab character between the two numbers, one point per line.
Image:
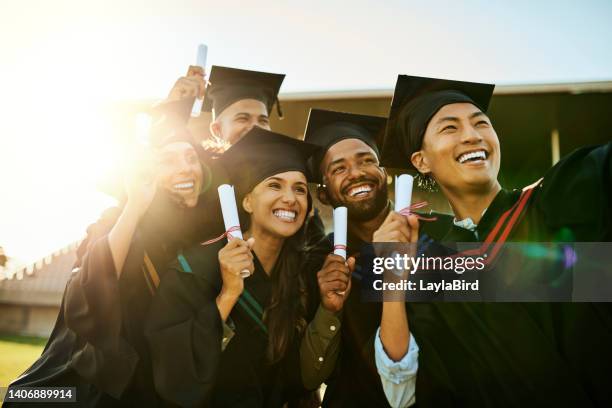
278	204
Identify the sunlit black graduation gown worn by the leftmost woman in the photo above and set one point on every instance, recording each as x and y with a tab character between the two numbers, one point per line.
98	342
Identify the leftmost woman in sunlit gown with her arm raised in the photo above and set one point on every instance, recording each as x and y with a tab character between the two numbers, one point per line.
116	272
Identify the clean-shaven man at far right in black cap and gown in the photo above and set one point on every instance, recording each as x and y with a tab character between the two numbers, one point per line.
504	354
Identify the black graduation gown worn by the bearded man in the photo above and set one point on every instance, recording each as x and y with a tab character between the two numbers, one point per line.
355	381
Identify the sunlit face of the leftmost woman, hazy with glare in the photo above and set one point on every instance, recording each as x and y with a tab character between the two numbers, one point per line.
180	172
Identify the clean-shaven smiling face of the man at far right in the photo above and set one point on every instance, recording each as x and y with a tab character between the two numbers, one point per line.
460	149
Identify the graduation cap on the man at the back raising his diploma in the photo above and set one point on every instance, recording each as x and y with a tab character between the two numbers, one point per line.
229	85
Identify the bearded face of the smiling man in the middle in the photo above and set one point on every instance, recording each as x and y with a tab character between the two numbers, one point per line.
354	179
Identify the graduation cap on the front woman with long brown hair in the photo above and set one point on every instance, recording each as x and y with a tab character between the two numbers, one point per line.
261	154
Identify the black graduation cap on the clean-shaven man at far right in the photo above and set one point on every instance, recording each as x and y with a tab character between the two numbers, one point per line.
415	101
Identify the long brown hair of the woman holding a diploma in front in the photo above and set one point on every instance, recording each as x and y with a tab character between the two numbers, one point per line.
285	316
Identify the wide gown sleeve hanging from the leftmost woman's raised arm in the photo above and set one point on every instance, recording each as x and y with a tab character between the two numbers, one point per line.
92	310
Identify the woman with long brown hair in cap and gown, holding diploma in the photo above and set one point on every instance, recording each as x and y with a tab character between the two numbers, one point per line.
216	337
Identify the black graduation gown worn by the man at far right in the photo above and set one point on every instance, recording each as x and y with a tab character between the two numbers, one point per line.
526	354
